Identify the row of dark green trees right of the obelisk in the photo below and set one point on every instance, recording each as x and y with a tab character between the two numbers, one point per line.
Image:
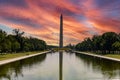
106	43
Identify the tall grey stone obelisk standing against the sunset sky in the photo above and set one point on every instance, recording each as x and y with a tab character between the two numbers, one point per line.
61	32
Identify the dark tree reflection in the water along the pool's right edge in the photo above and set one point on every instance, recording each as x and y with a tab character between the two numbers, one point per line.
108	68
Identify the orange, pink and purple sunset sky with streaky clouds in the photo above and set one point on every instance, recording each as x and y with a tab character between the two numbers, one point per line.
41	18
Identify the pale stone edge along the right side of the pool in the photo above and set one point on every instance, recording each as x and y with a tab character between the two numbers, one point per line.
99	56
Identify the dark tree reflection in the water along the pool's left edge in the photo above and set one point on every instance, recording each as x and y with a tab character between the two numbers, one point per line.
16	68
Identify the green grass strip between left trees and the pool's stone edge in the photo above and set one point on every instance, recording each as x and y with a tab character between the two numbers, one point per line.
15	55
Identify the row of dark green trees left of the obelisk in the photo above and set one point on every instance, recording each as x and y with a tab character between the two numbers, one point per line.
16	42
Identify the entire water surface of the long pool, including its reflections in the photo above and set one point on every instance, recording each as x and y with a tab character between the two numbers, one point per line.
67	66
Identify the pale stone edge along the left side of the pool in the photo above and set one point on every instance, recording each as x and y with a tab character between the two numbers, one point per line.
20	58
